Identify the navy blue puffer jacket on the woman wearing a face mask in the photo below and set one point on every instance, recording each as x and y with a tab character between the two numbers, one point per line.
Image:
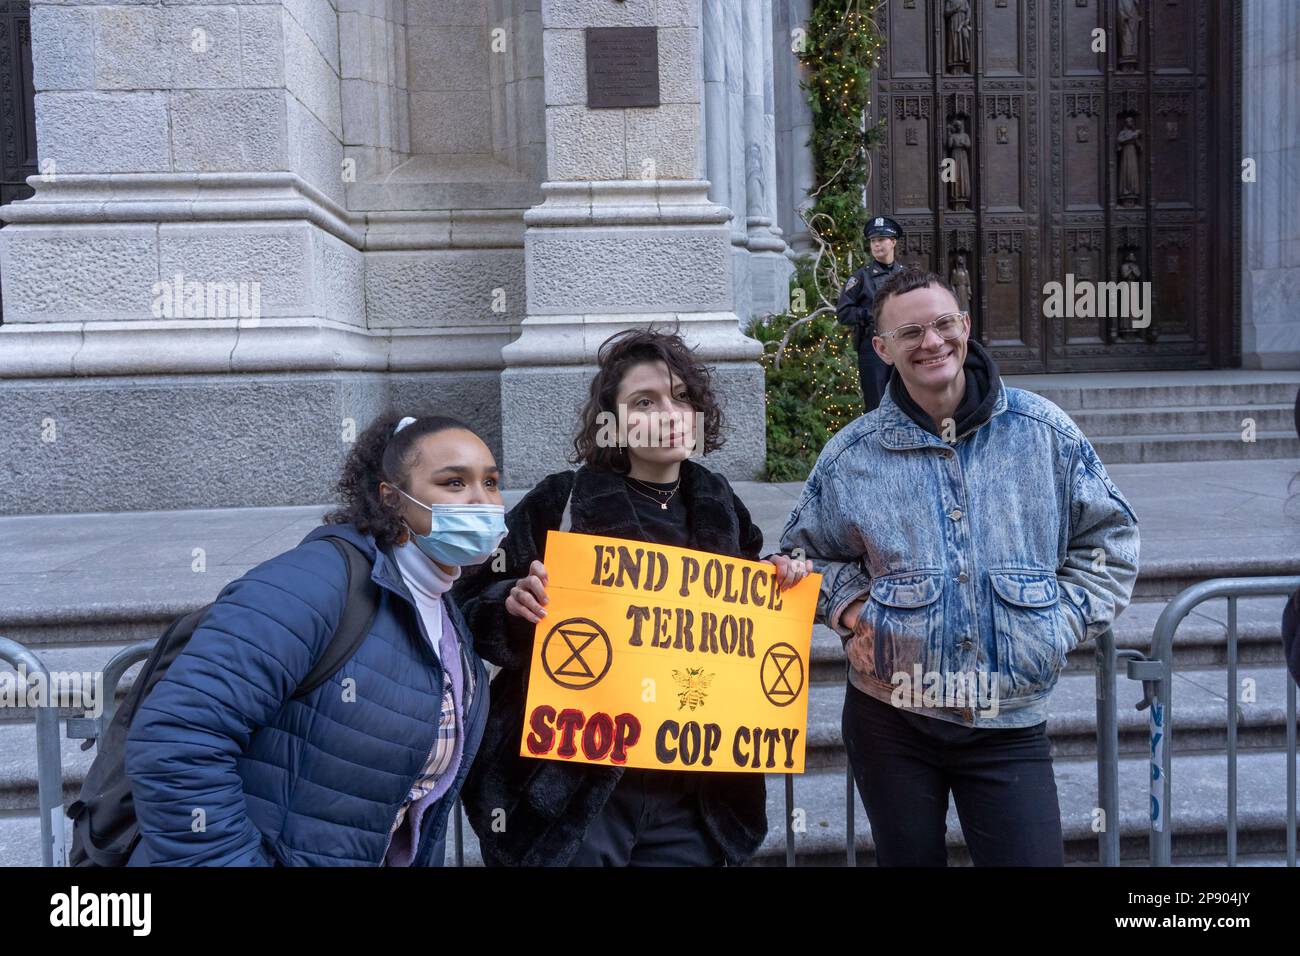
314	782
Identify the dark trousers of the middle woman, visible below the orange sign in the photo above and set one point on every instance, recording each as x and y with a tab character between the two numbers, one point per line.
652	820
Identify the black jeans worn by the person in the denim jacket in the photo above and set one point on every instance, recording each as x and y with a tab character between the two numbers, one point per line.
905	765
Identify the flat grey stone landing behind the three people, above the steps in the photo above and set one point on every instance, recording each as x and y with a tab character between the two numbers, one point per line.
1198	514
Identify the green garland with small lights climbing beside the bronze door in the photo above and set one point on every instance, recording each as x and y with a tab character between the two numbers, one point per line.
816	391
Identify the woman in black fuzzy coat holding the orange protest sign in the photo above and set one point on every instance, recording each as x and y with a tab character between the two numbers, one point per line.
549	814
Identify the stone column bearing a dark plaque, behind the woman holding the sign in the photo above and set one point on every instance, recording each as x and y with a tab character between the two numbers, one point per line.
626	236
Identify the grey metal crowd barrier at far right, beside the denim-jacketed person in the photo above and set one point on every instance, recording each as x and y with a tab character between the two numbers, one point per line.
1156	674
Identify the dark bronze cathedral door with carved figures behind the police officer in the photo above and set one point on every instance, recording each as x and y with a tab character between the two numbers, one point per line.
1017	158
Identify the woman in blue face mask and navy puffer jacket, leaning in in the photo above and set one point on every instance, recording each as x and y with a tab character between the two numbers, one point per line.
362	771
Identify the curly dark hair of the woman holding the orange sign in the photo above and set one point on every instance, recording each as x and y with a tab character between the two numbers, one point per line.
617	356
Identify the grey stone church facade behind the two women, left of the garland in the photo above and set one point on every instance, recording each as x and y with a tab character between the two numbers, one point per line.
419	207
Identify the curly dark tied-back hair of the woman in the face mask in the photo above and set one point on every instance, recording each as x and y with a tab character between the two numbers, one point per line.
380	456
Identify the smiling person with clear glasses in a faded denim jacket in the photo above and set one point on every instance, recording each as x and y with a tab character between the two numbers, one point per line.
969	538
